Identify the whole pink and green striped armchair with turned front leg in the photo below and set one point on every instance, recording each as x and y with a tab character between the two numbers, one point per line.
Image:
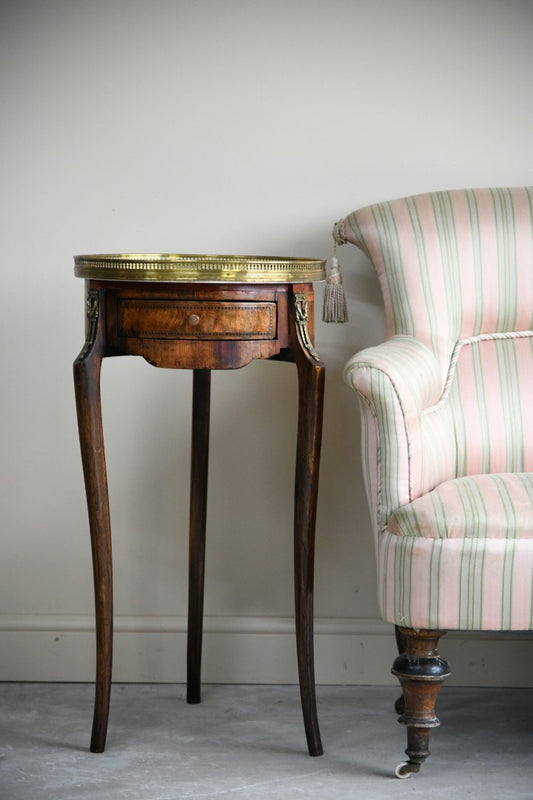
447	426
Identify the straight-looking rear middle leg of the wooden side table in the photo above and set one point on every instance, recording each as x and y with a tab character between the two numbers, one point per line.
198	513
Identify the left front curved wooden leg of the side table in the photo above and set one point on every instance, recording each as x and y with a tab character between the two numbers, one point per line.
87	387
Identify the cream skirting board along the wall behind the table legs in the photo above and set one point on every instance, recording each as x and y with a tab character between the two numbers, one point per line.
245	650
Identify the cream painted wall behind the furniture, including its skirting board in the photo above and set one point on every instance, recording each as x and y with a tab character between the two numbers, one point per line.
219	126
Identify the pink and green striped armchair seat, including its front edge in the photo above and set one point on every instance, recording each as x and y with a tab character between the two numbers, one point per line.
461	557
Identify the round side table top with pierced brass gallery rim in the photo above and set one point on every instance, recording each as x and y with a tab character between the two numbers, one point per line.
175	267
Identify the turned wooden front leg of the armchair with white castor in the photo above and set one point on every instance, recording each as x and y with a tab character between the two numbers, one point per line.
421	672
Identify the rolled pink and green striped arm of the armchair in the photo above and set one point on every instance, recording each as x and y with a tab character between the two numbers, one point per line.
408	441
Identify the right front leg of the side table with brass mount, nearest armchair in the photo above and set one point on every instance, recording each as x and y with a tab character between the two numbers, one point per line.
311	375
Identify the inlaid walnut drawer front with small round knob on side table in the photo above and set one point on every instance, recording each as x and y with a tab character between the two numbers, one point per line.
182	319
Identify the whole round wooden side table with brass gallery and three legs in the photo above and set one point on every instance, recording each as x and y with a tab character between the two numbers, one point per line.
200	313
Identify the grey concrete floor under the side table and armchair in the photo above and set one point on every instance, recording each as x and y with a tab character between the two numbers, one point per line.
247	742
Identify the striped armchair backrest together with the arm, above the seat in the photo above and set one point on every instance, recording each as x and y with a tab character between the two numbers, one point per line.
450	393
